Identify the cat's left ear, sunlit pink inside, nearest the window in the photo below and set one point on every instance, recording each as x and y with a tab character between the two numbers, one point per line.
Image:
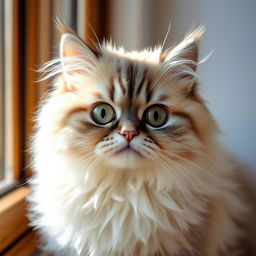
76	56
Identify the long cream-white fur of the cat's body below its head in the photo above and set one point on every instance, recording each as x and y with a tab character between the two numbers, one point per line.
109	212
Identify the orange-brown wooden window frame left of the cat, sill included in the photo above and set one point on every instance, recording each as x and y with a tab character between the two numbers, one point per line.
16	237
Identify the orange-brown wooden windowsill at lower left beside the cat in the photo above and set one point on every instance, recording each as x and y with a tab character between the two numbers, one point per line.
13	219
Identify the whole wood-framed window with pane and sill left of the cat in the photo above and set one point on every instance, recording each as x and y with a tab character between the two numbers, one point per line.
28	38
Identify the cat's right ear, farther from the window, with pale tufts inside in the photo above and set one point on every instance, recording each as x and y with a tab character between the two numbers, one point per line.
185	52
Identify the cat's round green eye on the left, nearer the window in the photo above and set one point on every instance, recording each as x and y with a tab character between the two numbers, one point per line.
102	114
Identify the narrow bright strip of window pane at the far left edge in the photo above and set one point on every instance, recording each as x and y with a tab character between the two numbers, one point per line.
8	94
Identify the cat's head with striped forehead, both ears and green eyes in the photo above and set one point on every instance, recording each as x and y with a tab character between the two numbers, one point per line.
128	109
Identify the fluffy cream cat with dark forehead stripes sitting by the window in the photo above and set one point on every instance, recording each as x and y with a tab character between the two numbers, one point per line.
126	156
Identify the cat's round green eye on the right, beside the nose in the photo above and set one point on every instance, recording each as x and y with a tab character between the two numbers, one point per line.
155	116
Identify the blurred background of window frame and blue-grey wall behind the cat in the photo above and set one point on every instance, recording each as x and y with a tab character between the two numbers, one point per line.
28	38
